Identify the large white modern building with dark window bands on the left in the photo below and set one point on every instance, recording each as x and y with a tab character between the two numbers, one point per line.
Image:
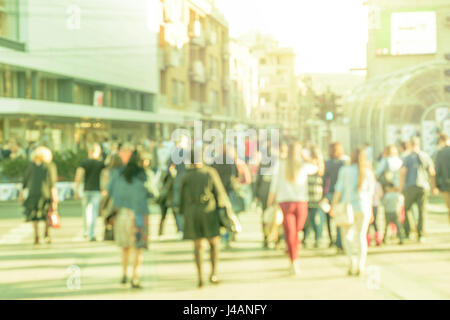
73	72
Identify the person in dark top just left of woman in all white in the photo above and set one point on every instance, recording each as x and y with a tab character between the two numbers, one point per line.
336	160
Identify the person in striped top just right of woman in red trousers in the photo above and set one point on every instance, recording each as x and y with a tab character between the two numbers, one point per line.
315	195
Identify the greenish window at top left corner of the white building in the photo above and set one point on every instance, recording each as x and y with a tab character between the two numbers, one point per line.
9	21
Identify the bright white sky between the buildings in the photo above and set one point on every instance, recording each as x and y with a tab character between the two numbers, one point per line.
327	35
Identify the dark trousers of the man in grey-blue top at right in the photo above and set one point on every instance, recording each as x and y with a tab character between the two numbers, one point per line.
415	195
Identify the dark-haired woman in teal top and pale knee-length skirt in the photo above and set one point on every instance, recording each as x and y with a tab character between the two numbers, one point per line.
127	188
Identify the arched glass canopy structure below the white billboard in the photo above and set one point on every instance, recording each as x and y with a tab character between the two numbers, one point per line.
403	97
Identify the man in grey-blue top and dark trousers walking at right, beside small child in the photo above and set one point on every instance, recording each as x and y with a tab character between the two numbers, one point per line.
415	174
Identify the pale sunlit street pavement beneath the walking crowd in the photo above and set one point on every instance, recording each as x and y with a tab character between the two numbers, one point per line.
411	271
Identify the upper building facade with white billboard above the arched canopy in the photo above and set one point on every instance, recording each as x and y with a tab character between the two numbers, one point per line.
404	33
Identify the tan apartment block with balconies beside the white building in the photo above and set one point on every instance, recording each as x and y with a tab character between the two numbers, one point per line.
194	61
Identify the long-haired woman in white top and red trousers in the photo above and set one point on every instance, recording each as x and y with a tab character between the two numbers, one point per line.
289	188
